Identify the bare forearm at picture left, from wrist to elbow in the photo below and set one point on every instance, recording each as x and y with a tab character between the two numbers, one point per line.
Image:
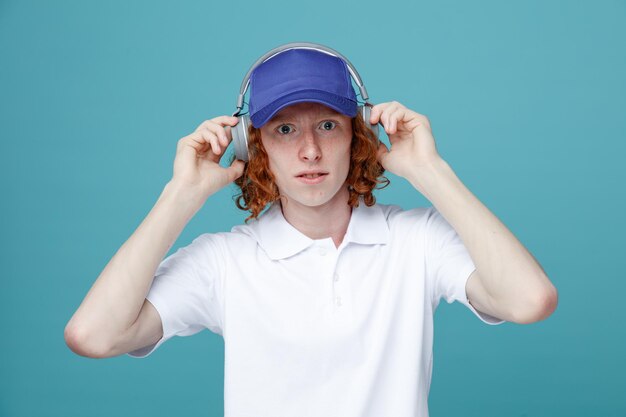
113	303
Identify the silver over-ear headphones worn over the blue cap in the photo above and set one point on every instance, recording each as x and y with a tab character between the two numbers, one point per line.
240	130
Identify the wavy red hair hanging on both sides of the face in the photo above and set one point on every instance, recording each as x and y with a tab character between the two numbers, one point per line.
258	186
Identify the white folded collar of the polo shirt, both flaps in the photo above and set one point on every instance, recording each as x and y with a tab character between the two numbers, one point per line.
280	240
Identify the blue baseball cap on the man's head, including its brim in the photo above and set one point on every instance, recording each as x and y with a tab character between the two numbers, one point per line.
297	76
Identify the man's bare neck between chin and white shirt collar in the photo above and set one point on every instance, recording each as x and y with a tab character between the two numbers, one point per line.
327	220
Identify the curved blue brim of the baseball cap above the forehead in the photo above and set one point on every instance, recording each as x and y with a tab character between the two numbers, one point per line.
335	102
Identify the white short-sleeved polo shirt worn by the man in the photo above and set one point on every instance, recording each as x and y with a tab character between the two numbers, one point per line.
311	330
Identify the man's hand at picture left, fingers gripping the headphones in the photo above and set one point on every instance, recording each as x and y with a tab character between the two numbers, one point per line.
197	167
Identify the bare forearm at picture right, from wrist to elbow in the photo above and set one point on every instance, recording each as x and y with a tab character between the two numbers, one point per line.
509	273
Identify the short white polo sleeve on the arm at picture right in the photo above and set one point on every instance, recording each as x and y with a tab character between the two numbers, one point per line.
449	265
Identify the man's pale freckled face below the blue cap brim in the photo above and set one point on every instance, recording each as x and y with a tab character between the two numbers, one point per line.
308	146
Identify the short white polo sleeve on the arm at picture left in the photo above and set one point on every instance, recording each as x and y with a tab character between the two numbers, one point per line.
187	292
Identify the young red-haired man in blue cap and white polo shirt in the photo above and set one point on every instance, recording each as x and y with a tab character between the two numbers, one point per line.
326	300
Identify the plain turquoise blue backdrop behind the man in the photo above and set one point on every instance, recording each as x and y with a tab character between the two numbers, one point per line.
526	102
